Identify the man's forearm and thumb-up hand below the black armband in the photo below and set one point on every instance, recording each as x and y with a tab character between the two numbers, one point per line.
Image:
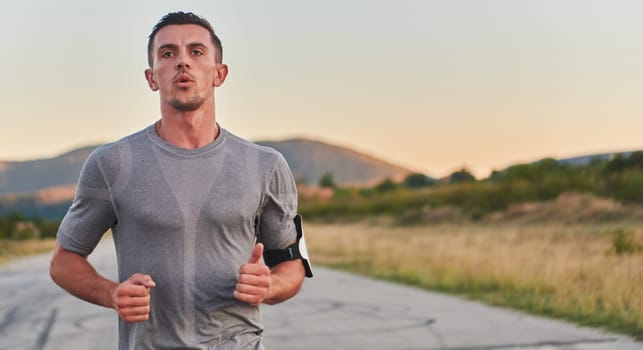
259	284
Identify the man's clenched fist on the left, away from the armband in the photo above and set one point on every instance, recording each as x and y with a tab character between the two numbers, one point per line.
132	298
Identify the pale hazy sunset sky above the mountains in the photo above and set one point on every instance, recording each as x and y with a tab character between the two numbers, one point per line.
430	85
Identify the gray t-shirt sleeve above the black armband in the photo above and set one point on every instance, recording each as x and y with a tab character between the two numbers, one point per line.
276	222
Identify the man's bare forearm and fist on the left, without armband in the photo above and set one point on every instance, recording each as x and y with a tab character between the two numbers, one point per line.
72	272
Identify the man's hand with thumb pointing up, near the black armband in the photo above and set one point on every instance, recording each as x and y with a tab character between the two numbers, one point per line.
253	284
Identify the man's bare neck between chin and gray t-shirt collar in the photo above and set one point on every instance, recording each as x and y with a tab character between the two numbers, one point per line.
188	129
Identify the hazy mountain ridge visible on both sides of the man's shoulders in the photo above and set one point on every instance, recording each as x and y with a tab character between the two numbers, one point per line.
308	159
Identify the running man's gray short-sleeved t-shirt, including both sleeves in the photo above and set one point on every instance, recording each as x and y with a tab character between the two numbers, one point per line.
188	218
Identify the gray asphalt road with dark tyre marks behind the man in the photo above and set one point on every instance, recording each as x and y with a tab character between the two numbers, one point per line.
334	311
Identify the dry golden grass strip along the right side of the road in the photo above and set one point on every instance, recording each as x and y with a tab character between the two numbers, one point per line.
570	272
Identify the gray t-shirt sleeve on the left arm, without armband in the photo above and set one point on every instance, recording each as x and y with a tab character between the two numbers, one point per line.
91	213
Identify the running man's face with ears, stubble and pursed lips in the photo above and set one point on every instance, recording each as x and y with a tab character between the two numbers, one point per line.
184	70
